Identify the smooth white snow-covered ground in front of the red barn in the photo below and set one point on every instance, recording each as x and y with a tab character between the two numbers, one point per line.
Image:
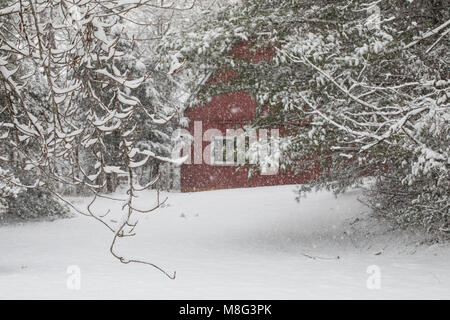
228	244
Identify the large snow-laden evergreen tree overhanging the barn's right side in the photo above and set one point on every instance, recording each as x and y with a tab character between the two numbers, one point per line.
361	86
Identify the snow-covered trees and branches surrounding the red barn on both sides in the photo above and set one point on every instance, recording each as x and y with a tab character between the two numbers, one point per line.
91	92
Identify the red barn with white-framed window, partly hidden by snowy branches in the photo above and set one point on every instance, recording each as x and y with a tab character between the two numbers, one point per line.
207	169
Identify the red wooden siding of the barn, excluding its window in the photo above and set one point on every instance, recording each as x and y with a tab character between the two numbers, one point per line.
228	111
